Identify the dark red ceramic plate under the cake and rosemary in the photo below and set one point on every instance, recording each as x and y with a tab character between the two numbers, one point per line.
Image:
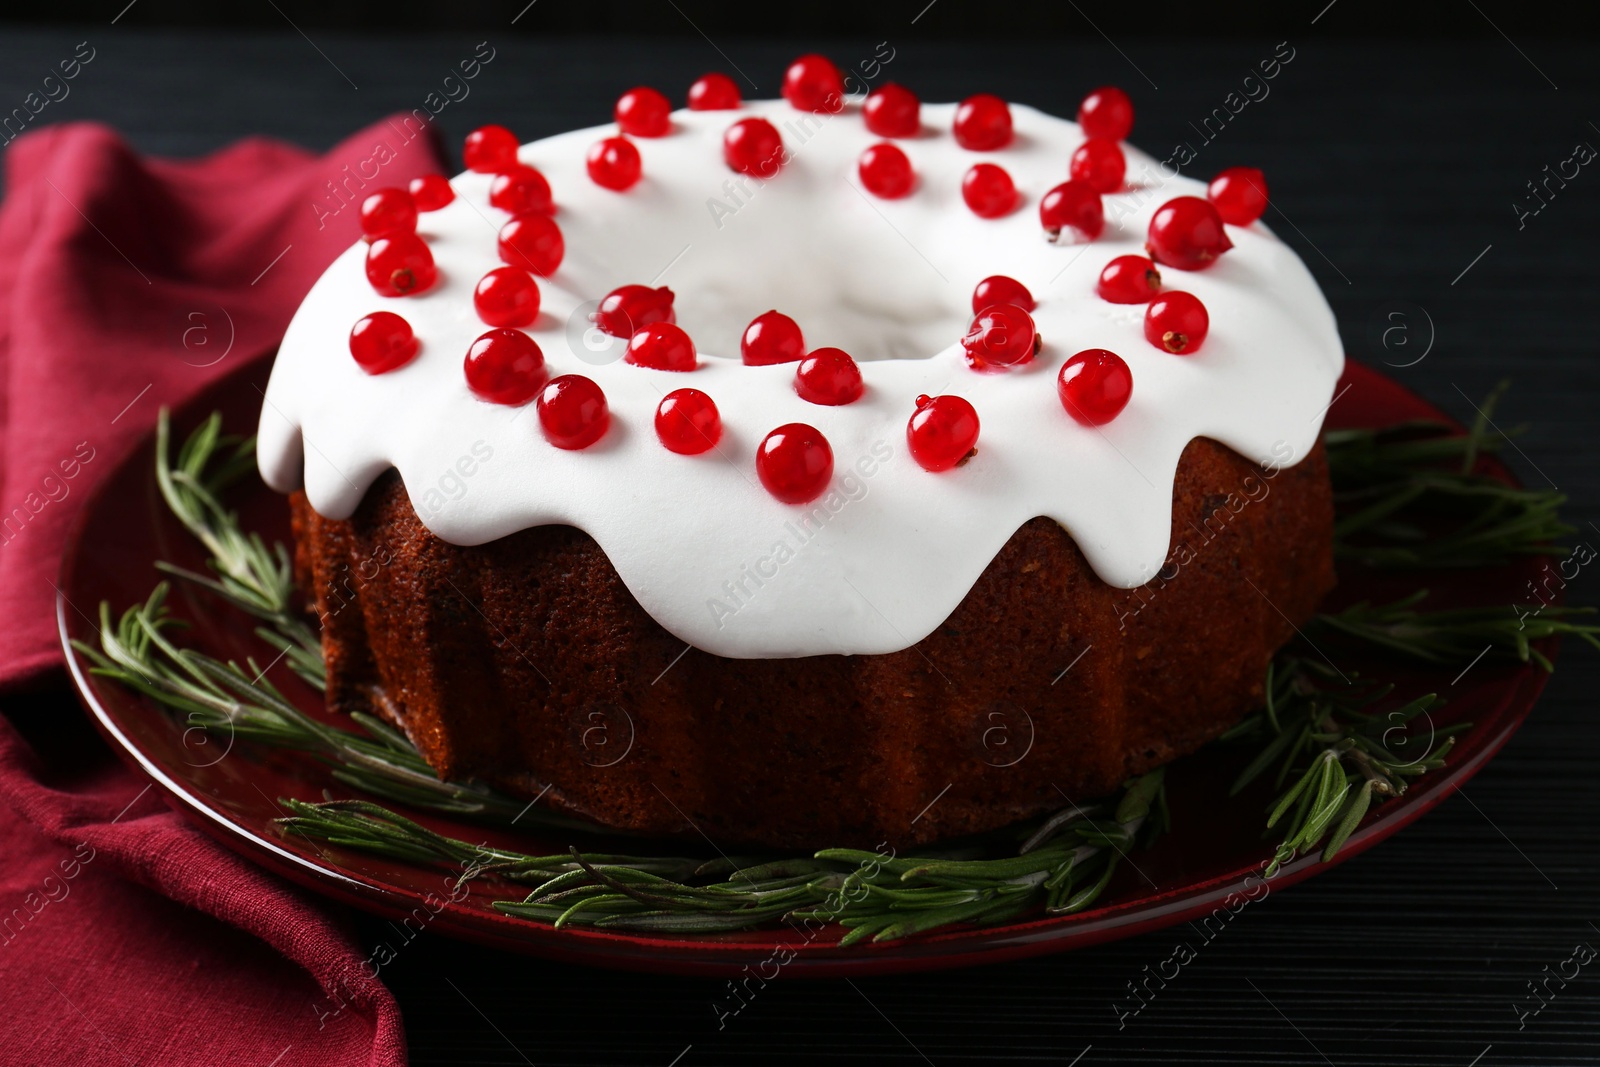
233	791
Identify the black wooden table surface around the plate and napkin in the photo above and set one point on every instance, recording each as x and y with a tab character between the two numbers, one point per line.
1401	169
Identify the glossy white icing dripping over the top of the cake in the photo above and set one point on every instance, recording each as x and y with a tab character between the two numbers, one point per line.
889	281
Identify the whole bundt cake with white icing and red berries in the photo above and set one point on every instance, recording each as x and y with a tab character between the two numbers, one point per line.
1012	498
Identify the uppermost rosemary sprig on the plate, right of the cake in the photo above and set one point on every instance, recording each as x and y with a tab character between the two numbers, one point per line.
1394	486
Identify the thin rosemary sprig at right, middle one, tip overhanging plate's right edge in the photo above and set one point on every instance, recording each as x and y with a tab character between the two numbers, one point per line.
1458	636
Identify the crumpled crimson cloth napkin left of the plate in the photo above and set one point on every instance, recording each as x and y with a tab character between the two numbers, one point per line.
126	933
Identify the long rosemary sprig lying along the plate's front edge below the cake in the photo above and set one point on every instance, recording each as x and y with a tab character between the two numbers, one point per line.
1063	868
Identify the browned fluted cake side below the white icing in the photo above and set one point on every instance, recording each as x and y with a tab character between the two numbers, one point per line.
527	663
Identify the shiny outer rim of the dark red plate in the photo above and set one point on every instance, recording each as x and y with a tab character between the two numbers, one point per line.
964	946
